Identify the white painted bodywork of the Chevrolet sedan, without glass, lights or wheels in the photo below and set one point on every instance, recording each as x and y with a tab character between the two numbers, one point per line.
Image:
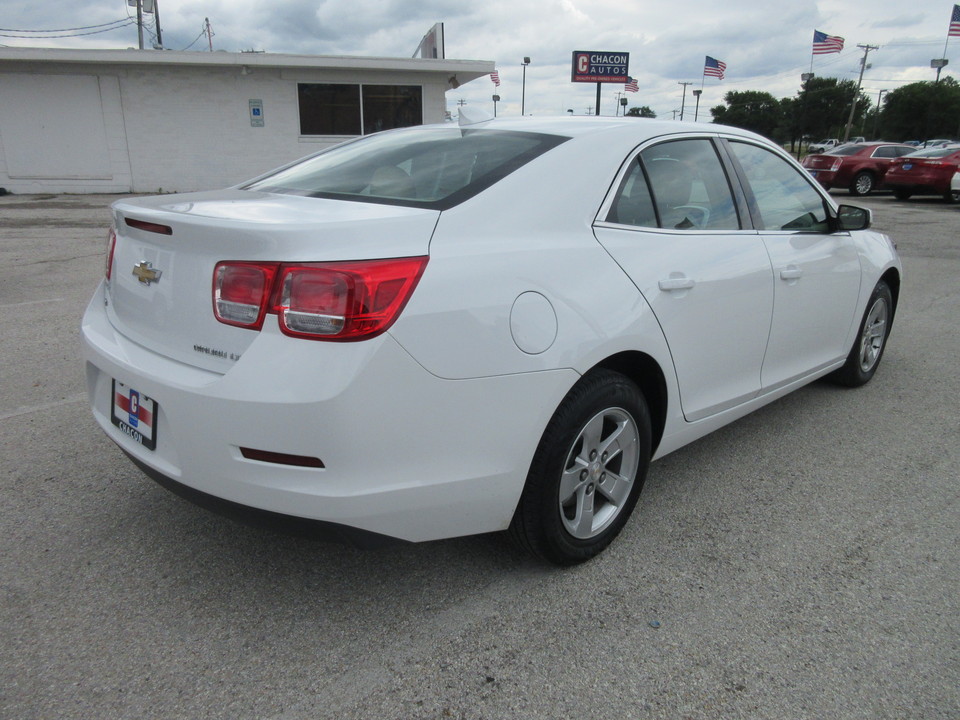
428	431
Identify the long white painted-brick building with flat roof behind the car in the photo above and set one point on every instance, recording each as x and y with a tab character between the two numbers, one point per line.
163	121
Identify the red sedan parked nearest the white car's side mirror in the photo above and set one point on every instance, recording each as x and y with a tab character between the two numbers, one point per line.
860	167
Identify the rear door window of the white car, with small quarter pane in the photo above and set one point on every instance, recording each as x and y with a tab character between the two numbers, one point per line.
677	185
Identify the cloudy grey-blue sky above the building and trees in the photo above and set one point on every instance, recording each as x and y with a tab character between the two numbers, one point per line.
766	46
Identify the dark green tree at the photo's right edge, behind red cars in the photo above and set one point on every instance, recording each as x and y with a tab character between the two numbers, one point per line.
922	111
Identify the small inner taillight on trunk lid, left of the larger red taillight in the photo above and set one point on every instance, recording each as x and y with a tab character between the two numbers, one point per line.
241	292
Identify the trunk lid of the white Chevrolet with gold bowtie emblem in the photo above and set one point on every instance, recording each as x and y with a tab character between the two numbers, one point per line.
161	288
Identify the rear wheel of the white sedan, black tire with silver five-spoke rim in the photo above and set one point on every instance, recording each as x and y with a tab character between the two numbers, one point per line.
587	472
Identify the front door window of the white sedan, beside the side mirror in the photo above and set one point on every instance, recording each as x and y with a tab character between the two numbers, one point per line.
784	198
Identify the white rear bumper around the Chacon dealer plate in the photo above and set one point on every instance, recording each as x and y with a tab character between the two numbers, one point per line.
455	466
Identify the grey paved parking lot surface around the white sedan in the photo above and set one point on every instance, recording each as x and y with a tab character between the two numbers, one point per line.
801	563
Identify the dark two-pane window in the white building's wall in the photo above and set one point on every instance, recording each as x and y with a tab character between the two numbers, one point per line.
336	109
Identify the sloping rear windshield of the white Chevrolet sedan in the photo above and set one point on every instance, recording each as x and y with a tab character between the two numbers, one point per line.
435	168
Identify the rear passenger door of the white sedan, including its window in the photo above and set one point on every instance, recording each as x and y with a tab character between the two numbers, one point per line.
674	225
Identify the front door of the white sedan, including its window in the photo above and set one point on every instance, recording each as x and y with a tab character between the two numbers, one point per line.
816	271
